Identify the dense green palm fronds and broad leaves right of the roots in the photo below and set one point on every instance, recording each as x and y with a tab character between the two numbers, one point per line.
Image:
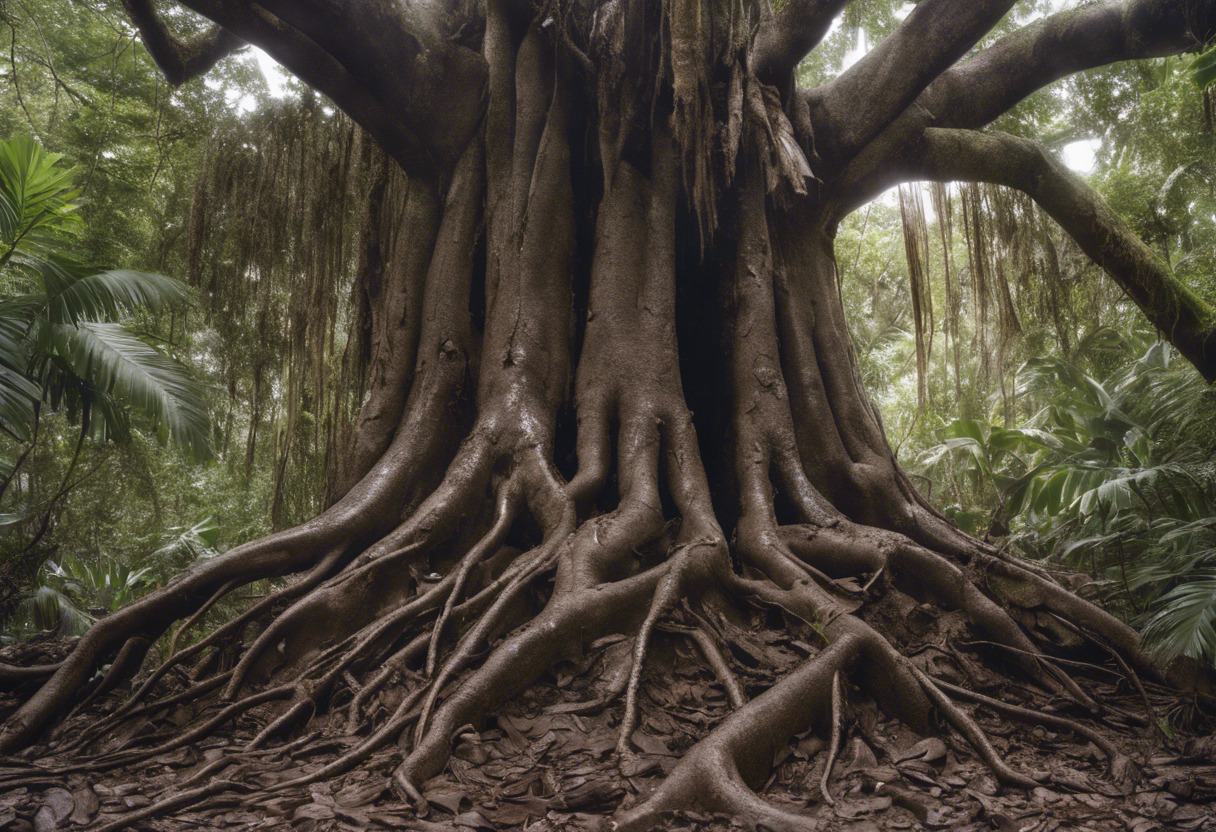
1111	477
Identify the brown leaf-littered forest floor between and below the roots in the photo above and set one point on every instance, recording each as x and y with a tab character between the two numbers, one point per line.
544	767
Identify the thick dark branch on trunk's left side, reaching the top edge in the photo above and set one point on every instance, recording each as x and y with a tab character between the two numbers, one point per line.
391	66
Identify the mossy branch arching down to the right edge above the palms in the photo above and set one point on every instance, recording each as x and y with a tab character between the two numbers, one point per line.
1179	314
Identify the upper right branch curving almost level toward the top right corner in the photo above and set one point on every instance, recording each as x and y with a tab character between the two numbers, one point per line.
995	80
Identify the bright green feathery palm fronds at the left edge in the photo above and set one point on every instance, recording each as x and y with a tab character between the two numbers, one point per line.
59	338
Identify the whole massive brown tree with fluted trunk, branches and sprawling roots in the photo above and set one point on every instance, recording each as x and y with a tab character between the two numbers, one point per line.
616	357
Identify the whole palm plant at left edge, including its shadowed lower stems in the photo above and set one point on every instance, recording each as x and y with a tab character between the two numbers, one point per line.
67	347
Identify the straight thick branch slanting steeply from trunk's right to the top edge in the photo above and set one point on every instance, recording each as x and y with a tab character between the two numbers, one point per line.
891	77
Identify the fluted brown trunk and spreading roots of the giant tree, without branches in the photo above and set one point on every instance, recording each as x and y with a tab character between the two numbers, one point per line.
425	601
